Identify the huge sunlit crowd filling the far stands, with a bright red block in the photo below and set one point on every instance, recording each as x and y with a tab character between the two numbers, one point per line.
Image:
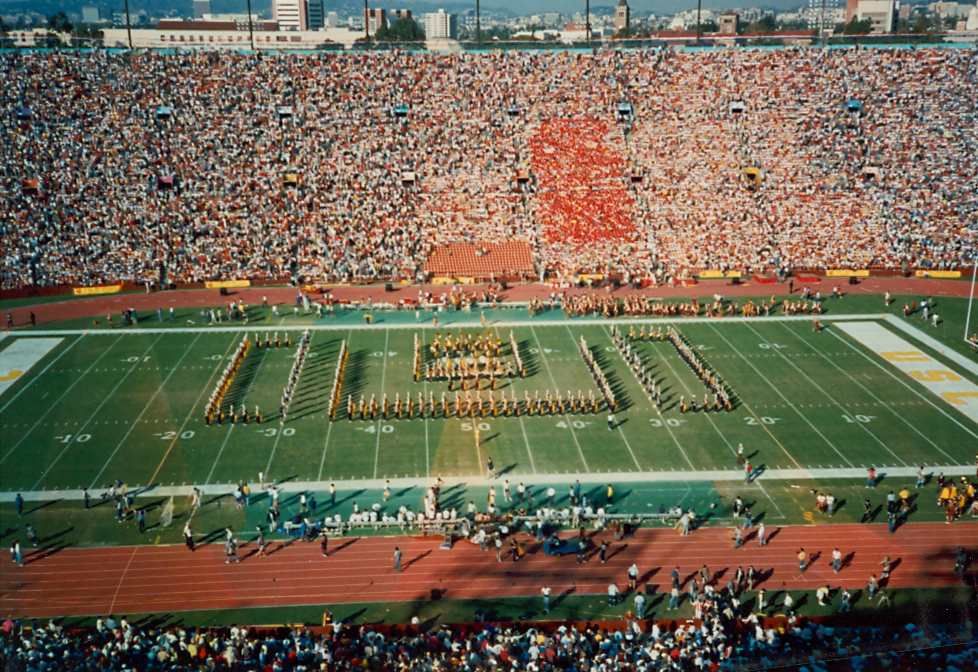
357	166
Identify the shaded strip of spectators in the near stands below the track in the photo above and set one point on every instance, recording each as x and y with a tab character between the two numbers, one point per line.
741	644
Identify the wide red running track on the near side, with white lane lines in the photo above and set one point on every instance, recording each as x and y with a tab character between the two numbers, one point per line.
158	579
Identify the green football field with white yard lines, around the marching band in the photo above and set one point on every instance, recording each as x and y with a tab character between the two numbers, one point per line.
128	403
